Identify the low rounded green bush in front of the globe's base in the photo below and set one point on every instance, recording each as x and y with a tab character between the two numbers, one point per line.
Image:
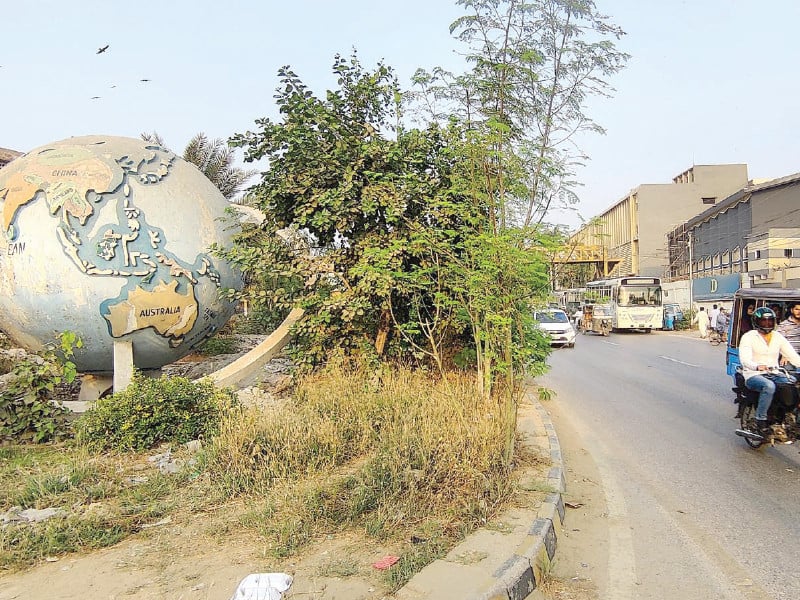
152	411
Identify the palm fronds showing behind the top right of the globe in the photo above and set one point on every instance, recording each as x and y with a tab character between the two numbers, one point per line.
216	161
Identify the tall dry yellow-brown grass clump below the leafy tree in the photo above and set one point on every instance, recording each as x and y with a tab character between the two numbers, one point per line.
396	454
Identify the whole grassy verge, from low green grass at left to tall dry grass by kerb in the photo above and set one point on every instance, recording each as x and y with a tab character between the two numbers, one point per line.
413	461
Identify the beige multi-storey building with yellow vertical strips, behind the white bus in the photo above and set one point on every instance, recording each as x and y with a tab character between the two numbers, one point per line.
634	230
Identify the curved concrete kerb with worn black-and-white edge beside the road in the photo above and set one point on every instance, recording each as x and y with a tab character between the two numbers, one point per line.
504	571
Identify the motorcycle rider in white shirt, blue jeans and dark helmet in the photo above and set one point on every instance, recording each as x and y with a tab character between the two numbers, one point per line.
759	350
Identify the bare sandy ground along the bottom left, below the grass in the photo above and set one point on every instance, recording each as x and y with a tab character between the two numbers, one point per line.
193	561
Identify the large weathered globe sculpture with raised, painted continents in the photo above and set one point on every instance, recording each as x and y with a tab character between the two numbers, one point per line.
110	238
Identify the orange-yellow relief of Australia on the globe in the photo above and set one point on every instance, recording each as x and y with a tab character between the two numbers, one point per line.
163	308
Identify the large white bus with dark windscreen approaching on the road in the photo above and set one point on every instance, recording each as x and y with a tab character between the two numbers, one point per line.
635	301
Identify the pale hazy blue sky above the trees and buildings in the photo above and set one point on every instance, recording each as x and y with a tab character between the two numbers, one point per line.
709	81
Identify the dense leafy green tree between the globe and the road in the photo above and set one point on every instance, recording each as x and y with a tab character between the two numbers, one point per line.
397	228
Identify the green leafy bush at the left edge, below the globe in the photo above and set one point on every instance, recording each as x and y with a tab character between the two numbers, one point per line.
28	411
